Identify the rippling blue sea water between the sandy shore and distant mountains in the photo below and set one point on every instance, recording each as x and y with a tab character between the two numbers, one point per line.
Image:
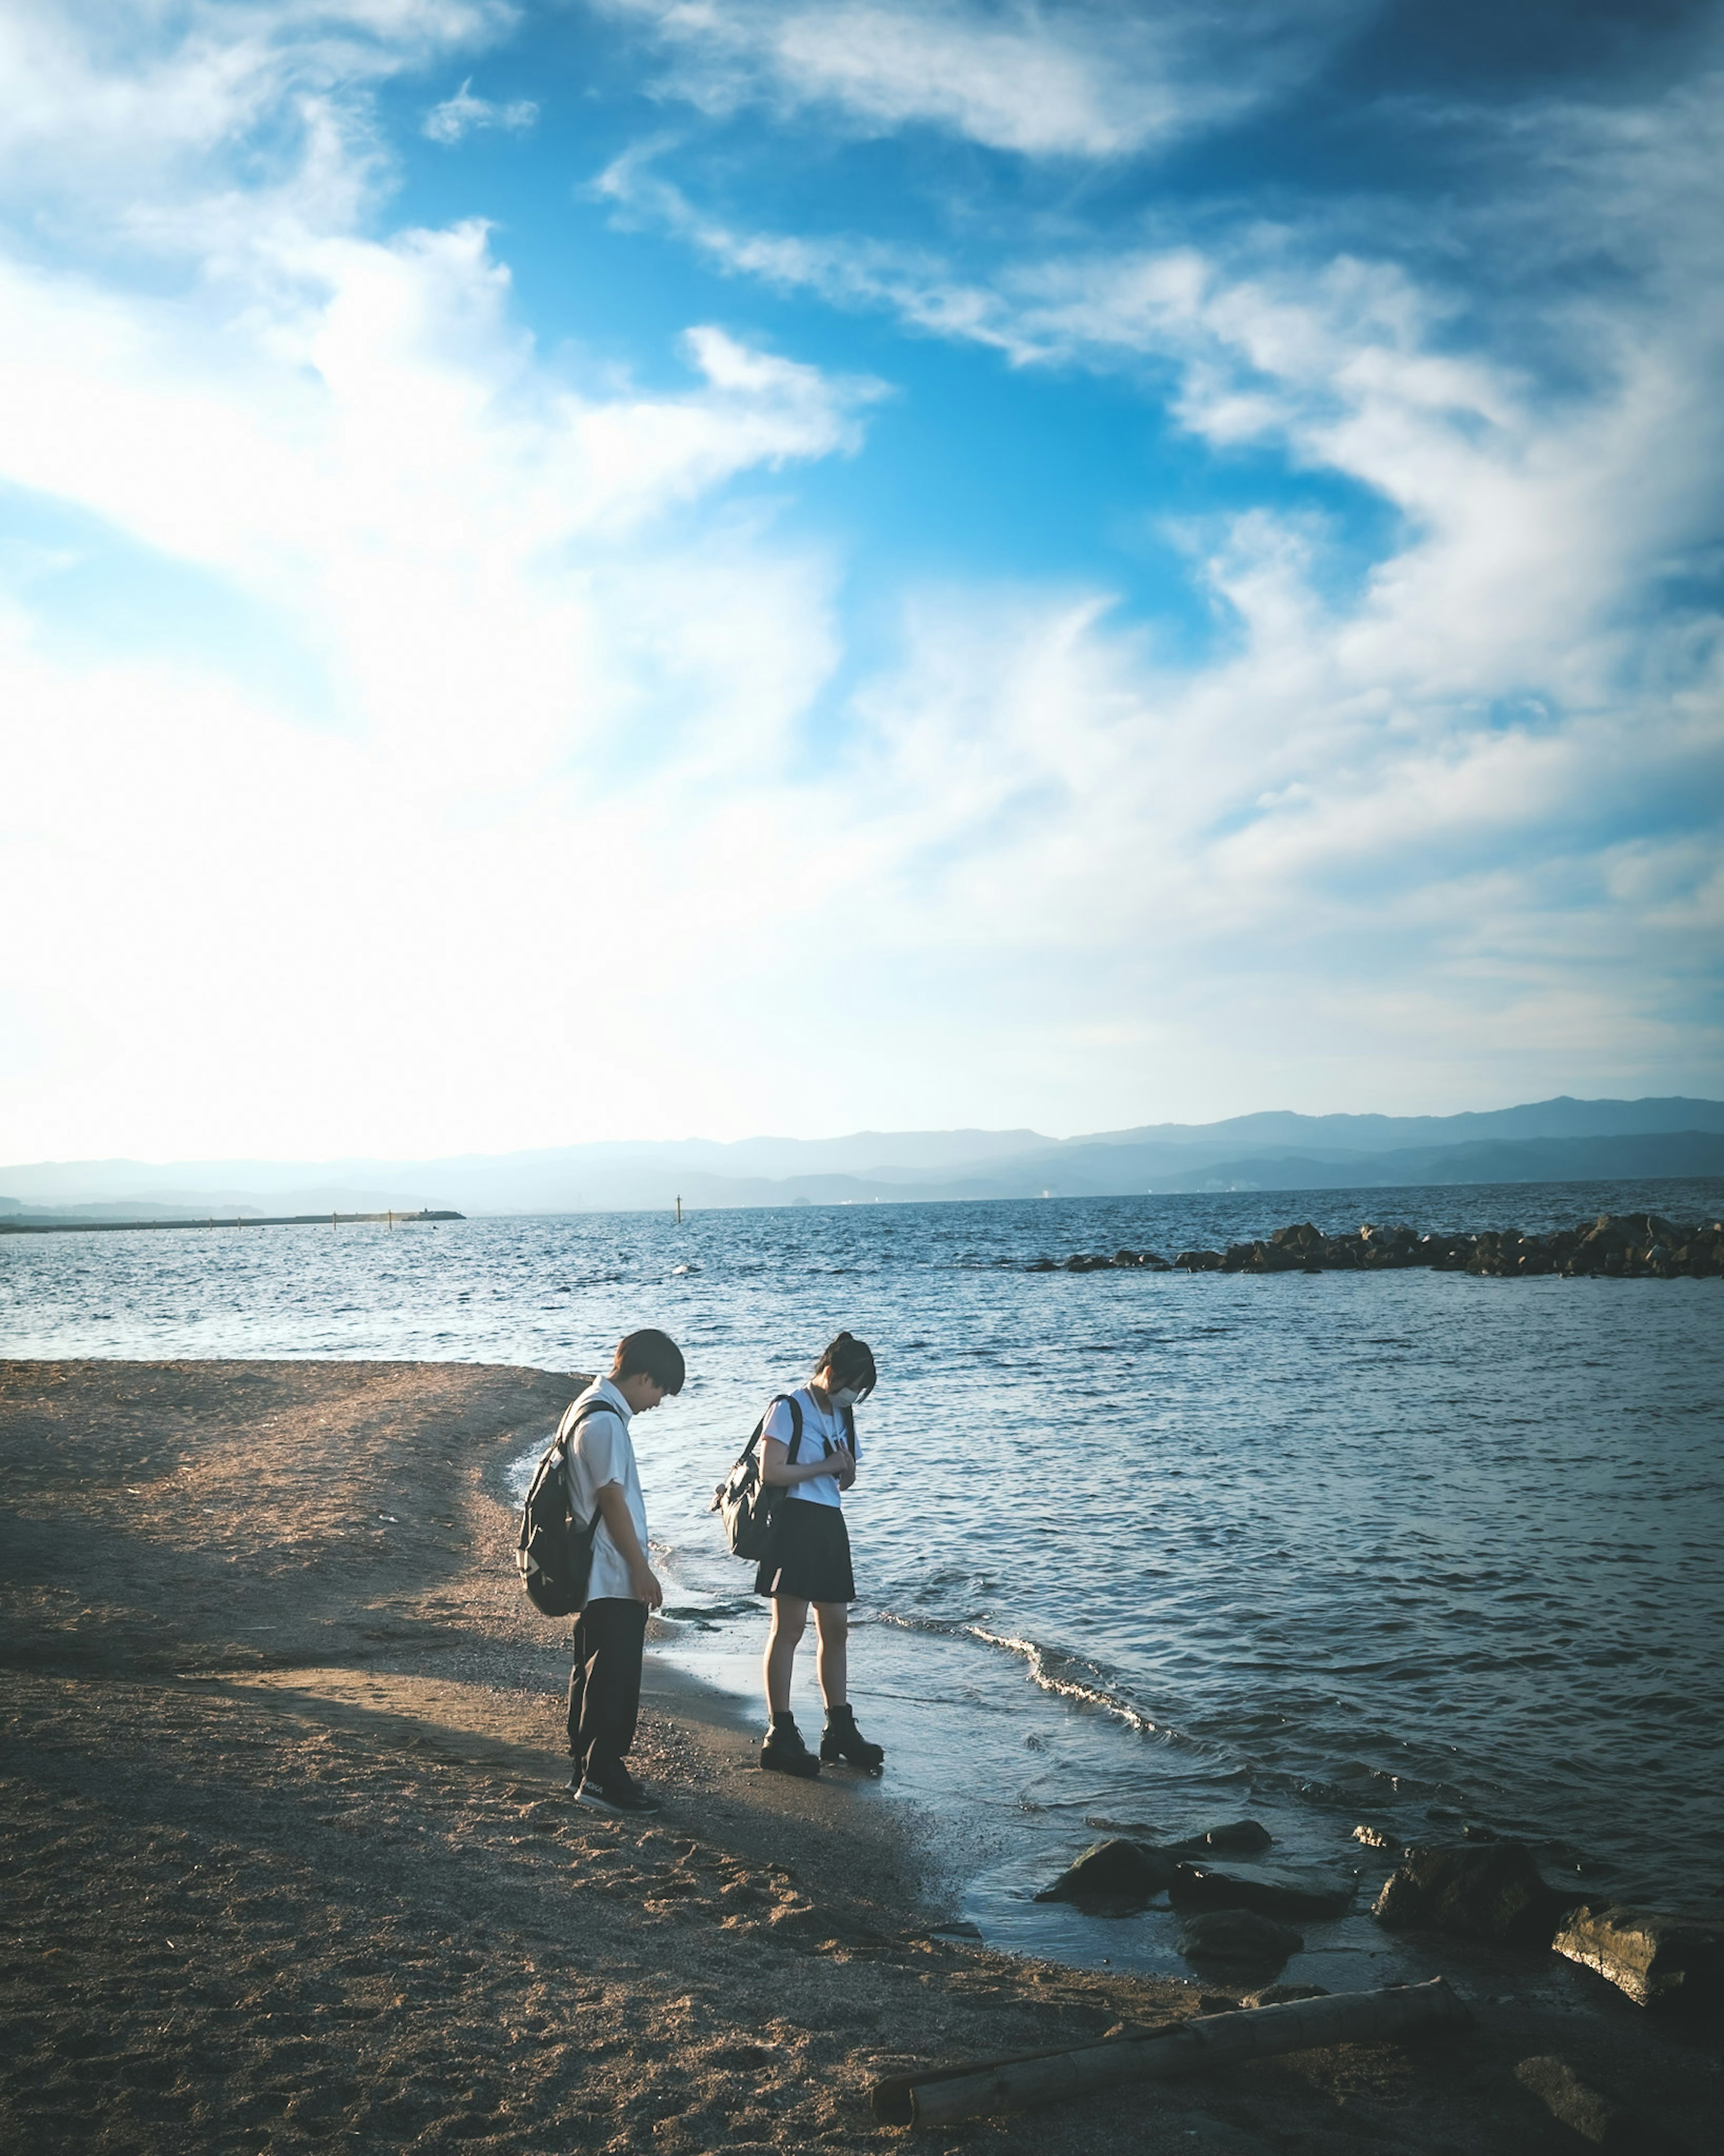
1135	1549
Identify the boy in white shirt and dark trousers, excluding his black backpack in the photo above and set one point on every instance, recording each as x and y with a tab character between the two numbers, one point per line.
604	1685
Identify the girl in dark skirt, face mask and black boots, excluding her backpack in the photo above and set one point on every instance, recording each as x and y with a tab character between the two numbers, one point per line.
809	1558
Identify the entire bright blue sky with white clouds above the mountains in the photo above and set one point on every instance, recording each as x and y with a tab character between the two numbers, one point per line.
645	570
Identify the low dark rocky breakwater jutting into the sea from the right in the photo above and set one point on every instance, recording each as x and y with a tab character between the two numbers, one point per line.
1615	1247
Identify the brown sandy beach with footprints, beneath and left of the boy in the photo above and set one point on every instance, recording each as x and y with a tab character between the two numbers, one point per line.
290	1862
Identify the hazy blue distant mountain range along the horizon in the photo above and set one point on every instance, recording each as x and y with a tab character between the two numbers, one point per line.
1277	1150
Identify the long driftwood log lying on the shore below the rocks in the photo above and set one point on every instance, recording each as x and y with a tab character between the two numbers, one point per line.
943	2097
